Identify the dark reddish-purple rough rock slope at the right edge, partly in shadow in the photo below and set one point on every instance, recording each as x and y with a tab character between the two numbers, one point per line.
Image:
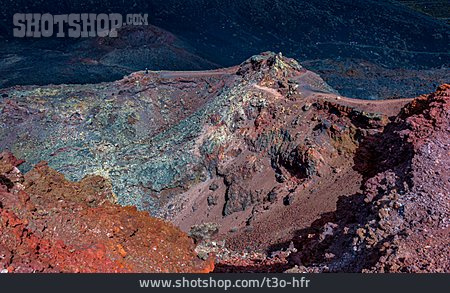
399	220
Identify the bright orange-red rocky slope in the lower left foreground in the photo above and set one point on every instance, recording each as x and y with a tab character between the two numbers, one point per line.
48	224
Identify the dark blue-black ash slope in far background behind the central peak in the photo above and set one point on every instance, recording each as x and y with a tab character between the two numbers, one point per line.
313	29
